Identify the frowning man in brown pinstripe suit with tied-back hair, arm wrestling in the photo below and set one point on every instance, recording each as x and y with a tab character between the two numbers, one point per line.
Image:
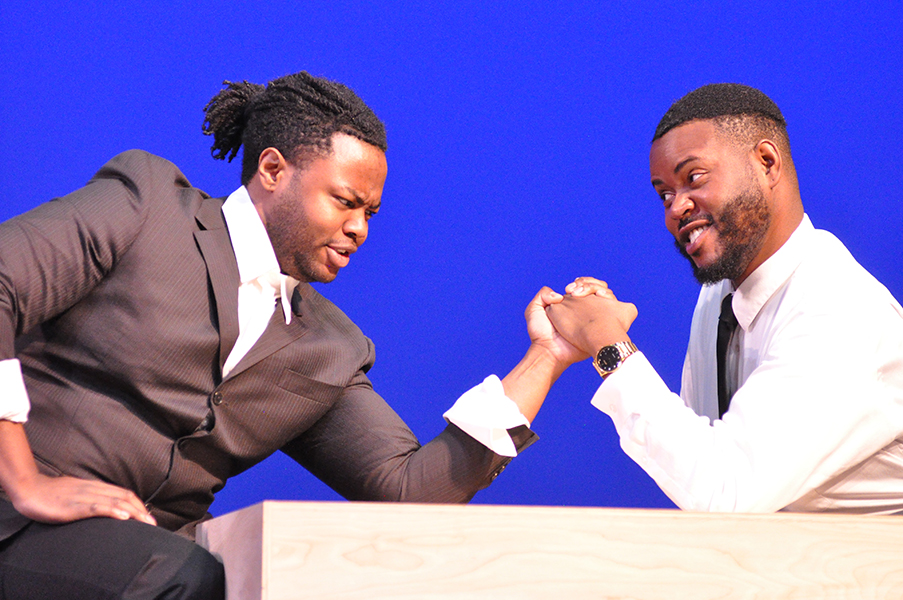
154	366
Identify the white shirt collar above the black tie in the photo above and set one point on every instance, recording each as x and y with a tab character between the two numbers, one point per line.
762	283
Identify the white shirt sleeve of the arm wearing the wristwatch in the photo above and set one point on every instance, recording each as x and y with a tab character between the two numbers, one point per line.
800	418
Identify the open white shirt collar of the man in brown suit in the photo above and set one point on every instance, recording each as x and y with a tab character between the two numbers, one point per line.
253	250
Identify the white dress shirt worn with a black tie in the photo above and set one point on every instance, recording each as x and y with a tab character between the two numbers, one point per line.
816	423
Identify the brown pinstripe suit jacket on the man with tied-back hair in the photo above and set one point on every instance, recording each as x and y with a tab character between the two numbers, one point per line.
122	301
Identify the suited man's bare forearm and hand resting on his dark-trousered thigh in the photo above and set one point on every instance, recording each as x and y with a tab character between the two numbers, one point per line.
58	499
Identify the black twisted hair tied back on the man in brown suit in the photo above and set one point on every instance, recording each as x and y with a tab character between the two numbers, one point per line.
297	114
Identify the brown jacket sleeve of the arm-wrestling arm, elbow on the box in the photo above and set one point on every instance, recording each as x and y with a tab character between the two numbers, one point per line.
363	450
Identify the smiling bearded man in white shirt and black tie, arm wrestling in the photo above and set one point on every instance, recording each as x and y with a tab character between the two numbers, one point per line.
805	410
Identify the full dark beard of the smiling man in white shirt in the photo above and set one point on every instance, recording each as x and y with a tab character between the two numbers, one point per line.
741	228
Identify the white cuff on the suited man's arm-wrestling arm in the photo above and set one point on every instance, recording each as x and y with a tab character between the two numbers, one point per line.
486	414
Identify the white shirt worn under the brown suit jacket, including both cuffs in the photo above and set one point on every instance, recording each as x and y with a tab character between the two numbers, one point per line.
484	412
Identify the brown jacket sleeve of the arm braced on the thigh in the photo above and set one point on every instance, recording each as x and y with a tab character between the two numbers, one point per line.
53	255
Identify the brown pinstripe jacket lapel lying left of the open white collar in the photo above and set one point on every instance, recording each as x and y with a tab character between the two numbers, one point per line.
222	270
